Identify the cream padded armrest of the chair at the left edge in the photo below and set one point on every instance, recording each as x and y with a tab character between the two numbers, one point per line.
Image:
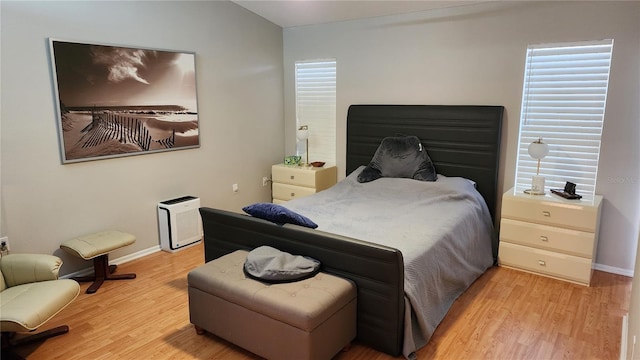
20	269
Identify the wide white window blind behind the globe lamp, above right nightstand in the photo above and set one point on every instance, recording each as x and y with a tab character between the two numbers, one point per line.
563	102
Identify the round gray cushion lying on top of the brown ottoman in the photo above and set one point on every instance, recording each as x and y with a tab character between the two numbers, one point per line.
271	265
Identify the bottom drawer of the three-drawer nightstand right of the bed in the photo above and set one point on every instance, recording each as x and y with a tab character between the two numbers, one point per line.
562	266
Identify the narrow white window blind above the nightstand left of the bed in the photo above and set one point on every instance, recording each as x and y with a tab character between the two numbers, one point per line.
316	108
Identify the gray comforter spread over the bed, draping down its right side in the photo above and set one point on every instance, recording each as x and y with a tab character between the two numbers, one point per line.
442	228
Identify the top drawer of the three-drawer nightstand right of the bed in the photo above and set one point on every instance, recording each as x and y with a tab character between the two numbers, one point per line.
574	216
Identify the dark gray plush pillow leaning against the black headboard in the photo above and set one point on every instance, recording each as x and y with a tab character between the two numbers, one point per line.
400	157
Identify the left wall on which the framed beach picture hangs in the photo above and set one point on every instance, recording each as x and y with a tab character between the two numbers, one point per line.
239	81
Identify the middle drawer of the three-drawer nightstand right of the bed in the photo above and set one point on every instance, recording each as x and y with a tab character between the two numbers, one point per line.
572	242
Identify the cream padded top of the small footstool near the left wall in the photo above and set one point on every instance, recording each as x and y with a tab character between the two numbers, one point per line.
101	243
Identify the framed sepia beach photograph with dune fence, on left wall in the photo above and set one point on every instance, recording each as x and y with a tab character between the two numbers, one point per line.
118	101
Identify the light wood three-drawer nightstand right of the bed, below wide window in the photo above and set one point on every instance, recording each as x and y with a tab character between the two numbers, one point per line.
549	235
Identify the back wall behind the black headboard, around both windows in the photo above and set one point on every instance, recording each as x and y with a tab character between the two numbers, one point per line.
475	55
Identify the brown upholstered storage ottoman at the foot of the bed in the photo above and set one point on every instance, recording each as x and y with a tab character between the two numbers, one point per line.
309	319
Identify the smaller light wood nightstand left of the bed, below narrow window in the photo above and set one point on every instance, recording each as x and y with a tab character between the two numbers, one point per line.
290	182
